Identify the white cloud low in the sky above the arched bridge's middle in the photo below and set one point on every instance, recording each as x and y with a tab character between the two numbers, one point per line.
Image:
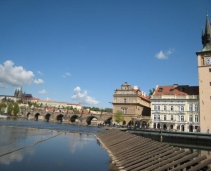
83	97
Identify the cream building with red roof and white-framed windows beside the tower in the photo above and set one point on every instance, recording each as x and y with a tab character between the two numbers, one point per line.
175	107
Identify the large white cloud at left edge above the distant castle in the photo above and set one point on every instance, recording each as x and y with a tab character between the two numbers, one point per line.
16	76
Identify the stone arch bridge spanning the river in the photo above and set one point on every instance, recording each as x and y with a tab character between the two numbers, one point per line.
84	119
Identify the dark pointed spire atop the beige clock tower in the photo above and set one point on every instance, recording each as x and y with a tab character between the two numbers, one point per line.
206	35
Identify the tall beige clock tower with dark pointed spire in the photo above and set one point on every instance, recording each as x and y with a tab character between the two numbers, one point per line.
204	73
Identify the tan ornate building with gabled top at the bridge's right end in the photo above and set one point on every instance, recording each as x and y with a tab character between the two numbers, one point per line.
133	103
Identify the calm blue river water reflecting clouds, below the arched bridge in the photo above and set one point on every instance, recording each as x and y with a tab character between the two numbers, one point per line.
32	145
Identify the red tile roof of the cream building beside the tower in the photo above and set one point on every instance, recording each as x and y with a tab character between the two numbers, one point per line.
177	90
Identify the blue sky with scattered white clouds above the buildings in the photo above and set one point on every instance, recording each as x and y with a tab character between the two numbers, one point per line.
81	51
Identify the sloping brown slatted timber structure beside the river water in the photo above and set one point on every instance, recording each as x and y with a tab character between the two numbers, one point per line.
131	152
